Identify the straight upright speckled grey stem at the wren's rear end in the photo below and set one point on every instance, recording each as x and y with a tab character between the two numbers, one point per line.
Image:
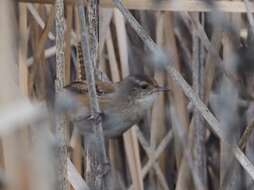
61	123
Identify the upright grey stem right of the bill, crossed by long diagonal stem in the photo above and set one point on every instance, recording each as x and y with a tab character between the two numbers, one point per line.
199	131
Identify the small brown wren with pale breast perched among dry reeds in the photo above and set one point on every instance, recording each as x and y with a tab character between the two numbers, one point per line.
123	104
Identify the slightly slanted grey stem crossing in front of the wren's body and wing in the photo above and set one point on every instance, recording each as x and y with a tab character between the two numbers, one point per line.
95	169
